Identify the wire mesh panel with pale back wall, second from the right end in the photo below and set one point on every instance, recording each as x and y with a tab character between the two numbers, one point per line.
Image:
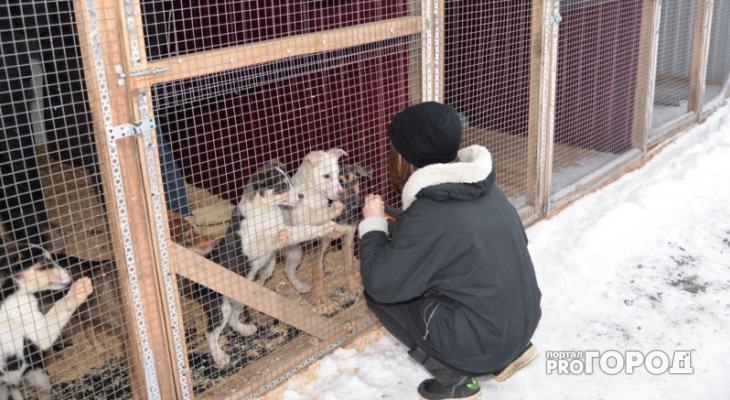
673	65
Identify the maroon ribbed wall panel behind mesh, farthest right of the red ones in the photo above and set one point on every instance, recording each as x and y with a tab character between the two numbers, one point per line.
598	54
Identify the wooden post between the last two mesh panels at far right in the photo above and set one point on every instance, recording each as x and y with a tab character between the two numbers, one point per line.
700	49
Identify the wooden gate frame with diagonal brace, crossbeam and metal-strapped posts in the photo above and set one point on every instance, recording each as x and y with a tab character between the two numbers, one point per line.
129	71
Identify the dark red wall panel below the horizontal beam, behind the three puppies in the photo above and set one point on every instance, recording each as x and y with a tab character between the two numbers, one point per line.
222	127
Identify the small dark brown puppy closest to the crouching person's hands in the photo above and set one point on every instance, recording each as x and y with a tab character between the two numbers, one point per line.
351	177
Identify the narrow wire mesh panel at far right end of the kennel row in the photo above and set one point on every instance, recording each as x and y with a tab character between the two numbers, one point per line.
717	79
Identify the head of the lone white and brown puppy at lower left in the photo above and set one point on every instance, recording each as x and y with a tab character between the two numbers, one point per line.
34	269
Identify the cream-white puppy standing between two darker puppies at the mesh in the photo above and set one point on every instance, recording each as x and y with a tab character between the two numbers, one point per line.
318	179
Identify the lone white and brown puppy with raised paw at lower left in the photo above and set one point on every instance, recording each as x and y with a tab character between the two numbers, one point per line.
24	330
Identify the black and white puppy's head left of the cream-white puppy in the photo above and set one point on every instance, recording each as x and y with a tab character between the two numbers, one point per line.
272	182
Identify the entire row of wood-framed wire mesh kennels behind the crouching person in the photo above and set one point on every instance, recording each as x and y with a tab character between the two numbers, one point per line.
191	174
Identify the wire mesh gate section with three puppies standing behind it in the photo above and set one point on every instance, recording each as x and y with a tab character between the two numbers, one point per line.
256	103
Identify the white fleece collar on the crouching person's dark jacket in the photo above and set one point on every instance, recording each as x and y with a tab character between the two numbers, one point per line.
474	165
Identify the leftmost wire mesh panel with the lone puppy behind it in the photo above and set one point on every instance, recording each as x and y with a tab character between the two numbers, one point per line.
58	260
